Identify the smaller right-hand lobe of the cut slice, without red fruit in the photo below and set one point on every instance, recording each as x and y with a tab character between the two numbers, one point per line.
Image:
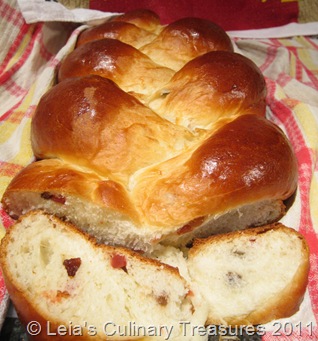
253	276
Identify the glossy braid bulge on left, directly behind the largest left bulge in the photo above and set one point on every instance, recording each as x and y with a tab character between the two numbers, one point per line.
130	69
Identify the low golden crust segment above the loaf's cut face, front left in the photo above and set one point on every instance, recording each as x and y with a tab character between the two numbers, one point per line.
54	176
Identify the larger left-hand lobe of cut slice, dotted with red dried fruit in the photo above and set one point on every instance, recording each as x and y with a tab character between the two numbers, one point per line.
59	276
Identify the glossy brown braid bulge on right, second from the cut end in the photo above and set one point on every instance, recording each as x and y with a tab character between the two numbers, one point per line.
218	84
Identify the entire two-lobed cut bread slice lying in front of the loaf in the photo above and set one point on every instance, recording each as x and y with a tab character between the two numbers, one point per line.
59	276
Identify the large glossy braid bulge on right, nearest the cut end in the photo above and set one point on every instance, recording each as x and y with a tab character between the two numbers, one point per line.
233	167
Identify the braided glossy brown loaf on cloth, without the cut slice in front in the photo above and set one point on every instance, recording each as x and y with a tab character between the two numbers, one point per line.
159	142
